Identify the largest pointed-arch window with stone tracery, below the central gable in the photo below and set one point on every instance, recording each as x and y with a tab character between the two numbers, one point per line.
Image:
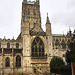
37	48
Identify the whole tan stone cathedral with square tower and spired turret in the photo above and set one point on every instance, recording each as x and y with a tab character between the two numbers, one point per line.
33	49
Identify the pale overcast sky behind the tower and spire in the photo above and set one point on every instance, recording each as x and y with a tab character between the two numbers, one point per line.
61	14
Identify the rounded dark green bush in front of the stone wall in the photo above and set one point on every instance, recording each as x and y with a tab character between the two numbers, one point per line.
55	64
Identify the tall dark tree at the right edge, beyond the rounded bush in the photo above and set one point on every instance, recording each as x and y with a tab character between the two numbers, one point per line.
70	54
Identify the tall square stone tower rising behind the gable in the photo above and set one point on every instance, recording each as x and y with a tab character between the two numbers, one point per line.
31	14
